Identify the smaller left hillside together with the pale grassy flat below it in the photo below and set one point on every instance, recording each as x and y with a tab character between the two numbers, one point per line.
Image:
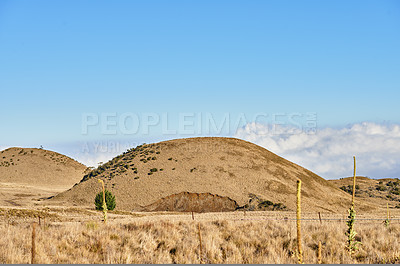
27	175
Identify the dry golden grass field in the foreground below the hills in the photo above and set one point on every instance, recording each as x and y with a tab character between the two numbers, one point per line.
74	235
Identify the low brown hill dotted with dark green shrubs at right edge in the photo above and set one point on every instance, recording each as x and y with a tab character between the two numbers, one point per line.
376	191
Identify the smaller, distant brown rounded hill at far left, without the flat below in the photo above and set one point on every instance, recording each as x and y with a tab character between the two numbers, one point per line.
40	168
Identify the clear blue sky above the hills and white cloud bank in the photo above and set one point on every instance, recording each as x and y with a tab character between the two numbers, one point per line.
62	59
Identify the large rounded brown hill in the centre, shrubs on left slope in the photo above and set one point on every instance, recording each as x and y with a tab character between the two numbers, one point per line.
226	167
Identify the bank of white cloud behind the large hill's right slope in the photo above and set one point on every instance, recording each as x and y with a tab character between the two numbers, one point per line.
329	152
